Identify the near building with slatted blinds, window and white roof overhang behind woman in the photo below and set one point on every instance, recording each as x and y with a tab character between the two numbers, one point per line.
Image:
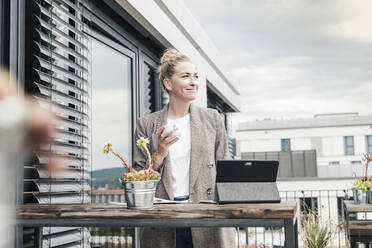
94	64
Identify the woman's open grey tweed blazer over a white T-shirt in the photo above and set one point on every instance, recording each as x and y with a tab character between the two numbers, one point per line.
208	144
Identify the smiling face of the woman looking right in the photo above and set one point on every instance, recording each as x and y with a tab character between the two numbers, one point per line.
183	84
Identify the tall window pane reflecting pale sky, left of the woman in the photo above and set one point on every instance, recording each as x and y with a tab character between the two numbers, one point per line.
111	105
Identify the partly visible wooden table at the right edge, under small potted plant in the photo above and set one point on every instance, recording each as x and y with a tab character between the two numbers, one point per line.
358	222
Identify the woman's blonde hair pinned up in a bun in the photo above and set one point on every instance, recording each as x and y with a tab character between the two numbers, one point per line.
171	57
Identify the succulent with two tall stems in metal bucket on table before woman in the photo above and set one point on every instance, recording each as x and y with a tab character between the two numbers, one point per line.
139	186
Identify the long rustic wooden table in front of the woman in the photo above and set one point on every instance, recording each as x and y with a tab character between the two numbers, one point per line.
163	215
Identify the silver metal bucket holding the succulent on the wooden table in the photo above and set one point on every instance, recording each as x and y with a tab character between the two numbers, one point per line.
140	194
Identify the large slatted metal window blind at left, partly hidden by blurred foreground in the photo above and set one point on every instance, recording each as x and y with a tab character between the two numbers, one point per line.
57	76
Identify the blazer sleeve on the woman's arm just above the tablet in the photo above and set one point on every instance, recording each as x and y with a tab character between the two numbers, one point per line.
221	148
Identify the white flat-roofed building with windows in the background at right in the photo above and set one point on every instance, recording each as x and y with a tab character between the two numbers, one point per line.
337	140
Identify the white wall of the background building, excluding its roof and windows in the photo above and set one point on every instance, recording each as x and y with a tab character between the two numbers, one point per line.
327	141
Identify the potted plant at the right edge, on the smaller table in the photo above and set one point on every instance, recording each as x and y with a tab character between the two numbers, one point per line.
362	187
